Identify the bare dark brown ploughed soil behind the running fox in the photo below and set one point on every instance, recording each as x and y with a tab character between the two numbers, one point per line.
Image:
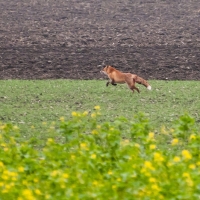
48	39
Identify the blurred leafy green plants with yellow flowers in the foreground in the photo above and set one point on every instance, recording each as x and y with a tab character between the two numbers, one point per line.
123	159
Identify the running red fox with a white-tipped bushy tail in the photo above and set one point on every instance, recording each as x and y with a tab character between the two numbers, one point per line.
117	76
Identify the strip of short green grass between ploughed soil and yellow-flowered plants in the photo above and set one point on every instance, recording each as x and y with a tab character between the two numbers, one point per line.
33	105
